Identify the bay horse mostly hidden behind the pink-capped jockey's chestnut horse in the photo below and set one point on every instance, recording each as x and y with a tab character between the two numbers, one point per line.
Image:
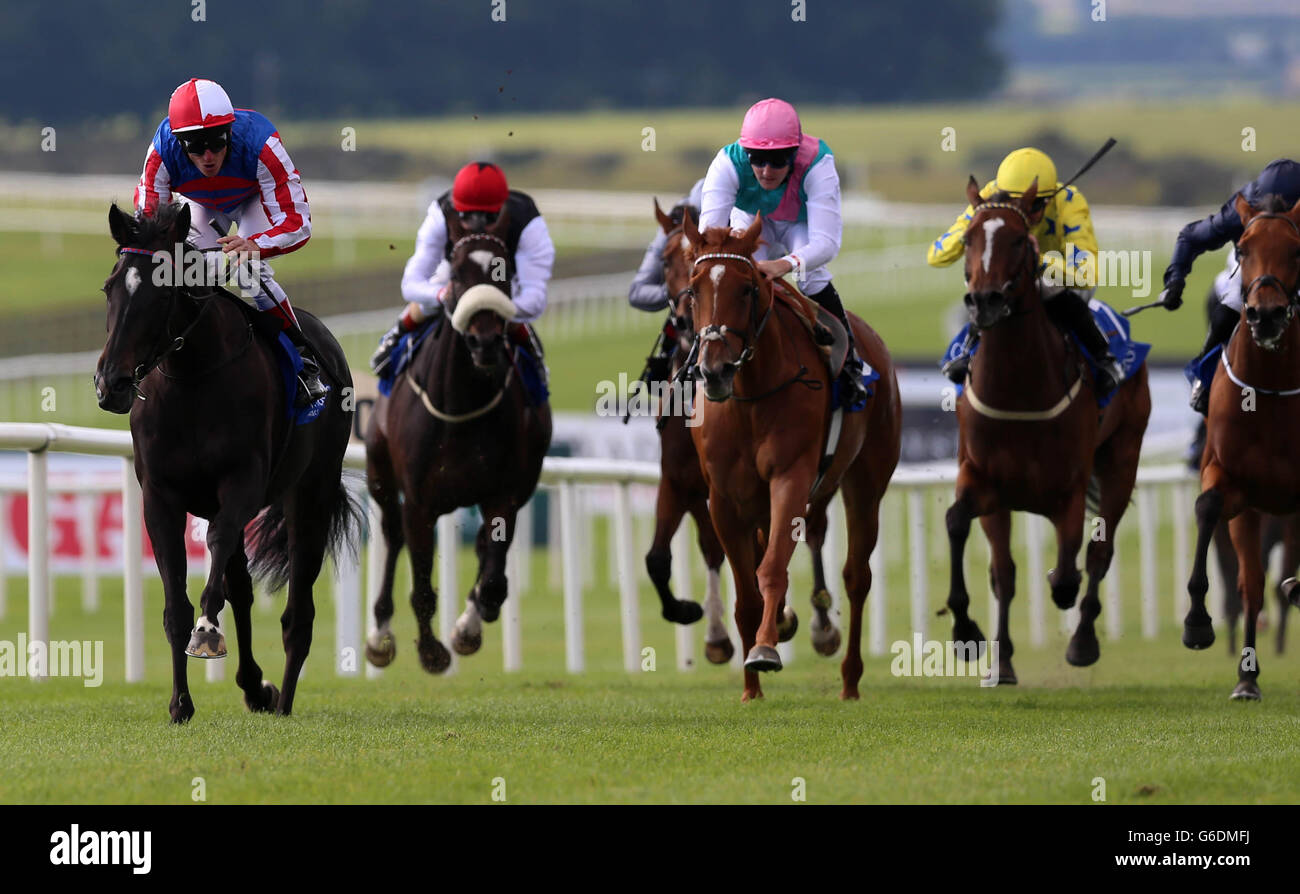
683	489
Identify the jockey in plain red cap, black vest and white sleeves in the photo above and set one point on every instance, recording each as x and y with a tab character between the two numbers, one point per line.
476	198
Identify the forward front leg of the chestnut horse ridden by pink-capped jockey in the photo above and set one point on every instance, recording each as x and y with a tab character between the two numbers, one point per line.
787	524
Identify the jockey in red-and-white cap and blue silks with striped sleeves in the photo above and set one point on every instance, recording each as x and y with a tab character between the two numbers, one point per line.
231	168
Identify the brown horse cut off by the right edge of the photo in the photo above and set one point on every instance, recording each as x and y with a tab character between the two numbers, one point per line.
1247	467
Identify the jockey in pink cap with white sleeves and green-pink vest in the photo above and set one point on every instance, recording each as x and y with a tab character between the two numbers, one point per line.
790	177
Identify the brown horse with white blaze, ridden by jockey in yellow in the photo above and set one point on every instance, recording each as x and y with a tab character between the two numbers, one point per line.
1030	433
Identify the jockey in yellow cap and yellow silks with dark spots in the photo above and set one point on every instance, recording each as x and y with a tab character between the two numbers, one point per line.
1063	229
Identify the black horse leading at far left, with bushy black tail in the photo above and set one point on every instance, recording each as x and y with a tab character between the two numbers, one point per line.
213	437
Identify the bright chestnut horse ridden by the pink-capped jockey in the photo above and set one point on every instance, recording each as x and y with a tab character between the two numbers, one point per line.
761	437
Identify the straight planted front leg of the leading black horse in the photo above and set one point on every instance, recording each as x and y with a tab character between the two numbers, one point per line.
166	524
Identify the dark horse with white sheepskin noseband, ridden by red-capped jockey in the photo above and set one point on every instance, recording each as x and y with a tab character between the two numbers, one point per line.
457	431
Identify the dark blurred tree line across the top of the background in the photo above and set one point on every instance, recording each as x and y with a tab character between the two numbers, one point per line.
97	59
